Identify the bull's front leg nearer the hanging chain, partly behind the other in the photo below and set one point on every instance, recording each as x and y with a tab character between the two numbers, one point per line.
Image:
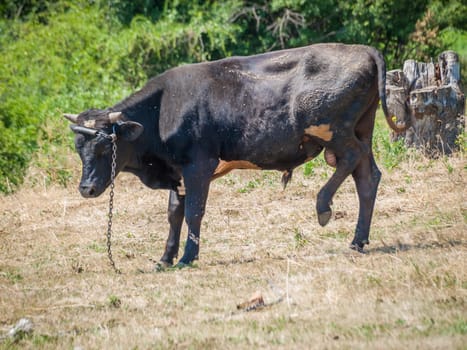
175	215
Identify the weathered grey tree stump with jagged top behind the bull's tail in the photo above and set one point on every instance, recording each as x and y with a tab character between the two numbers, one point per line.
429	97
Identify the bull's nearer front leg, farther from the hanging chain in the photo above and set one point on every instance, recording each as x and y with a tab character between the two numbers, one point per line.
197	177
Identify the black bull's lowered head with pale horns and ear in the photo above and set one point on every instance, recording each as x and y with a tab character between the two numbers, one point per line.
95	130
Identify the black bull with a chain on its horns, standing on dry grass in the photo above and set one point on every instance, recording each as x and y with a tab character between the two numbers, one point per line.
276	110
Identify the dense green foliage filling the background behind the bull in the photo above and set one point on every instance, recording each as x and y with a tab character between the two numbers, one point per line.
67	56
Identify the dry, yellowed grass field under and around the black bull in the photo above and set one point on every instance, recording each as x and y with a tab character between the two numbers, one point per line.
410	291
